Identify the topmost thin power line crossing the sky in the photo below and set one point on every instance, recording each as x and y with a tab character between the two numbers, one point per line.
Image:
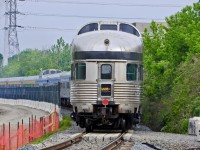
105	3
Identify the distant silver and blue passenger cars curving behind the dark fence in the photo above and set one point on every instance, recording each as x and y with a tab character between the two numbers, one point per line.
46	78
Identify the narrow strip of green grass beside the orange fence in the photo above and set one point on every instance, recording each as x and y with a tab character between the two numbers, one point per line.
64	124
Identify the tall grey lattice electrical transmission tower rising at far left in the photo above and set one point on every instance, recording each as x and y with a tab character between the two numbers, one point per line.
11	45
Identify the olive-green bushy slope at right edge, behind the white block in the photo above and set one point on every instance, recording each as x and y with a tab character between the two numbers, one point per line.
185	99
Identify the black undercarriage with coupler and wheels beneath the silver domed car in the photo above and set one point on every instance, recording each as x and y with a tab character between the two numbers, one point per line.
105	117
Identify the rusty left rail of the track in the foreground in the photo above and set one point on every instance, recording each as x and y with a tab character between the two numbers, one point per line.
65	144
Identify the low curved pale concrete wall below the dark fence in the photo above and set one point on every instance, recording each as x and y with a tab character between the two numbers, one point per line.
49	107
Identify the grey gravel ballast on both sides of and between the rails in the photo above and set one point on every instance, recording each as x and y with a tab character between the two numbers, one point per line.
141	137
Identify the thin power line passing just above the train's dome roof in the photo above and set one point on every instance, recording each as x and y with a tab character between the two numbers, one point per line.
94	17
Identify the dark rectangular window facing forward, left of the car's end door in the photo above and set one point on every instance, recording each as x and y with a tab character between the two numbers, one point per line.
81	71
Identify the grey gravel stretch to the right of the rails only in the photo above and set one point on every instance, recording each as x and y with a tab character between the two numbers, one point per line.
167	141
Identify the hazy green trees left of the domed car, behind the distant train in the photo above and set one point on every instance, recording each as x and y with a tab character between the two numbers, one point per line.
32	61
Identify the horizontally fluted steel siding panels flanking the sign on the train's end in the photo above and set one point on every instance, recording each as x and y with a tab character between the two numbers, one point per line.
84	92
